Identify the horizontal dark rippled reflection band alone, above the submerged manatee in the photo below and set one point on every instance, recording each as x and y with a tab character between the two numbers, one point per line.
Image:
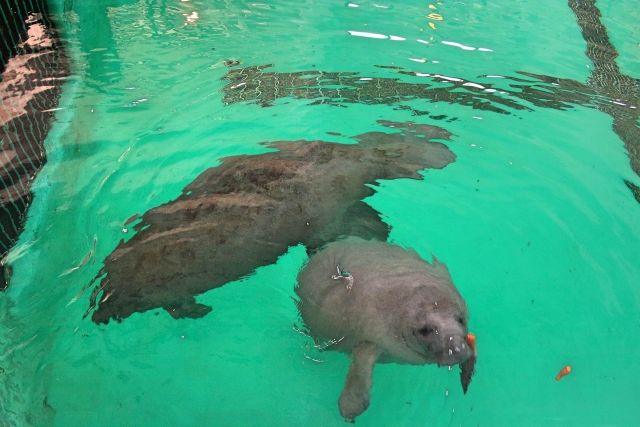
254	84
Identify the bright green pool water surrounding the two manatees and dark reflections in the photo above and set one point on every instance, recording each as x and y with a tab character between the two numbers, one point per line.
533	220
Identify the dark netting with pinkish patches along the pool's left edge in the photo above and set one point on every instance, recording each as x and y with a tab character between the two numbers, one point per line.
33	67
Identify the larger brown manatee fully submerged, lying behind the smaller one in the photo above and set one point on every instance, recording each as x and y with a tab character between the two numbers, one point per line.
248	211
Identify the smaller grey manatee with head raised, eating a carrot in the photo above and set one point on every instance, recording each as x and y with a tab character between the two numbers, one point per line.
399	309
